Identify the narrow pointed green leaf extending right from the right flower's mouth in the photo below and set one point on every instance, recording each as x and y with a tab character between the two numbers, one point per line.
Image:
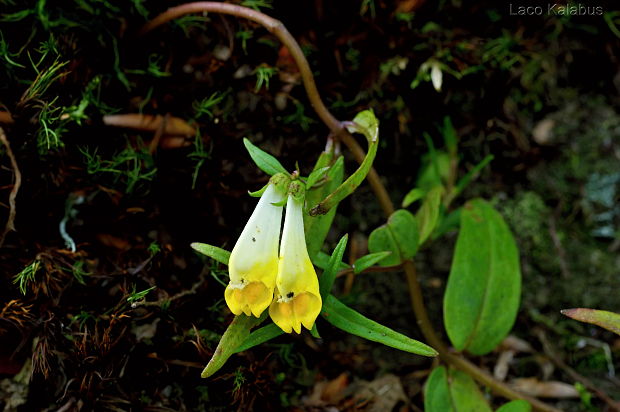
345	318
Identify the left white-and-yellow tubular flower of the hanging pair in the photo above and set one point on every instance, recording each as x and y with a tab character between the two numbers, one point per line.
253	263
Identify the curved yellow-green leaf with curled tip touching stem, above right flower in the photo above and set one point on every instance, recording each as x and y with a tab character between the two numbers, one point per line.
367	124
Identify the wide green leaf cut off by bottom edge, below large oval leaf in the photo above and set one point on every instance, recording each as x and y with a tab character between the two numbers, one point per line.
453	391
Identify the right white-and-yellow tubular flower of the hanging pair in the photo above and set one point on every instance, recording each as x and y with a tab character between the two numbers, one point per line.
297	300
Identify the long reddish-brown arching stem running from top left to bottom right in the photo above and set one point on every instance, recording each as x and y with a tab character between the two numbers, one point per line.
337	129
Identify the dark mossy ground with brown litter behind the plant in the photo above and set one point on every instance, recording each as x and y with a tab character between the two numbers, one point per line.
138	211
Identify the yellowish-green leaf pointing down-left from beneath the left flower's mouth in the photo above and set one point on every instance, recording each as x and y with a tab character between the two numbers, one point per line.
236	333
